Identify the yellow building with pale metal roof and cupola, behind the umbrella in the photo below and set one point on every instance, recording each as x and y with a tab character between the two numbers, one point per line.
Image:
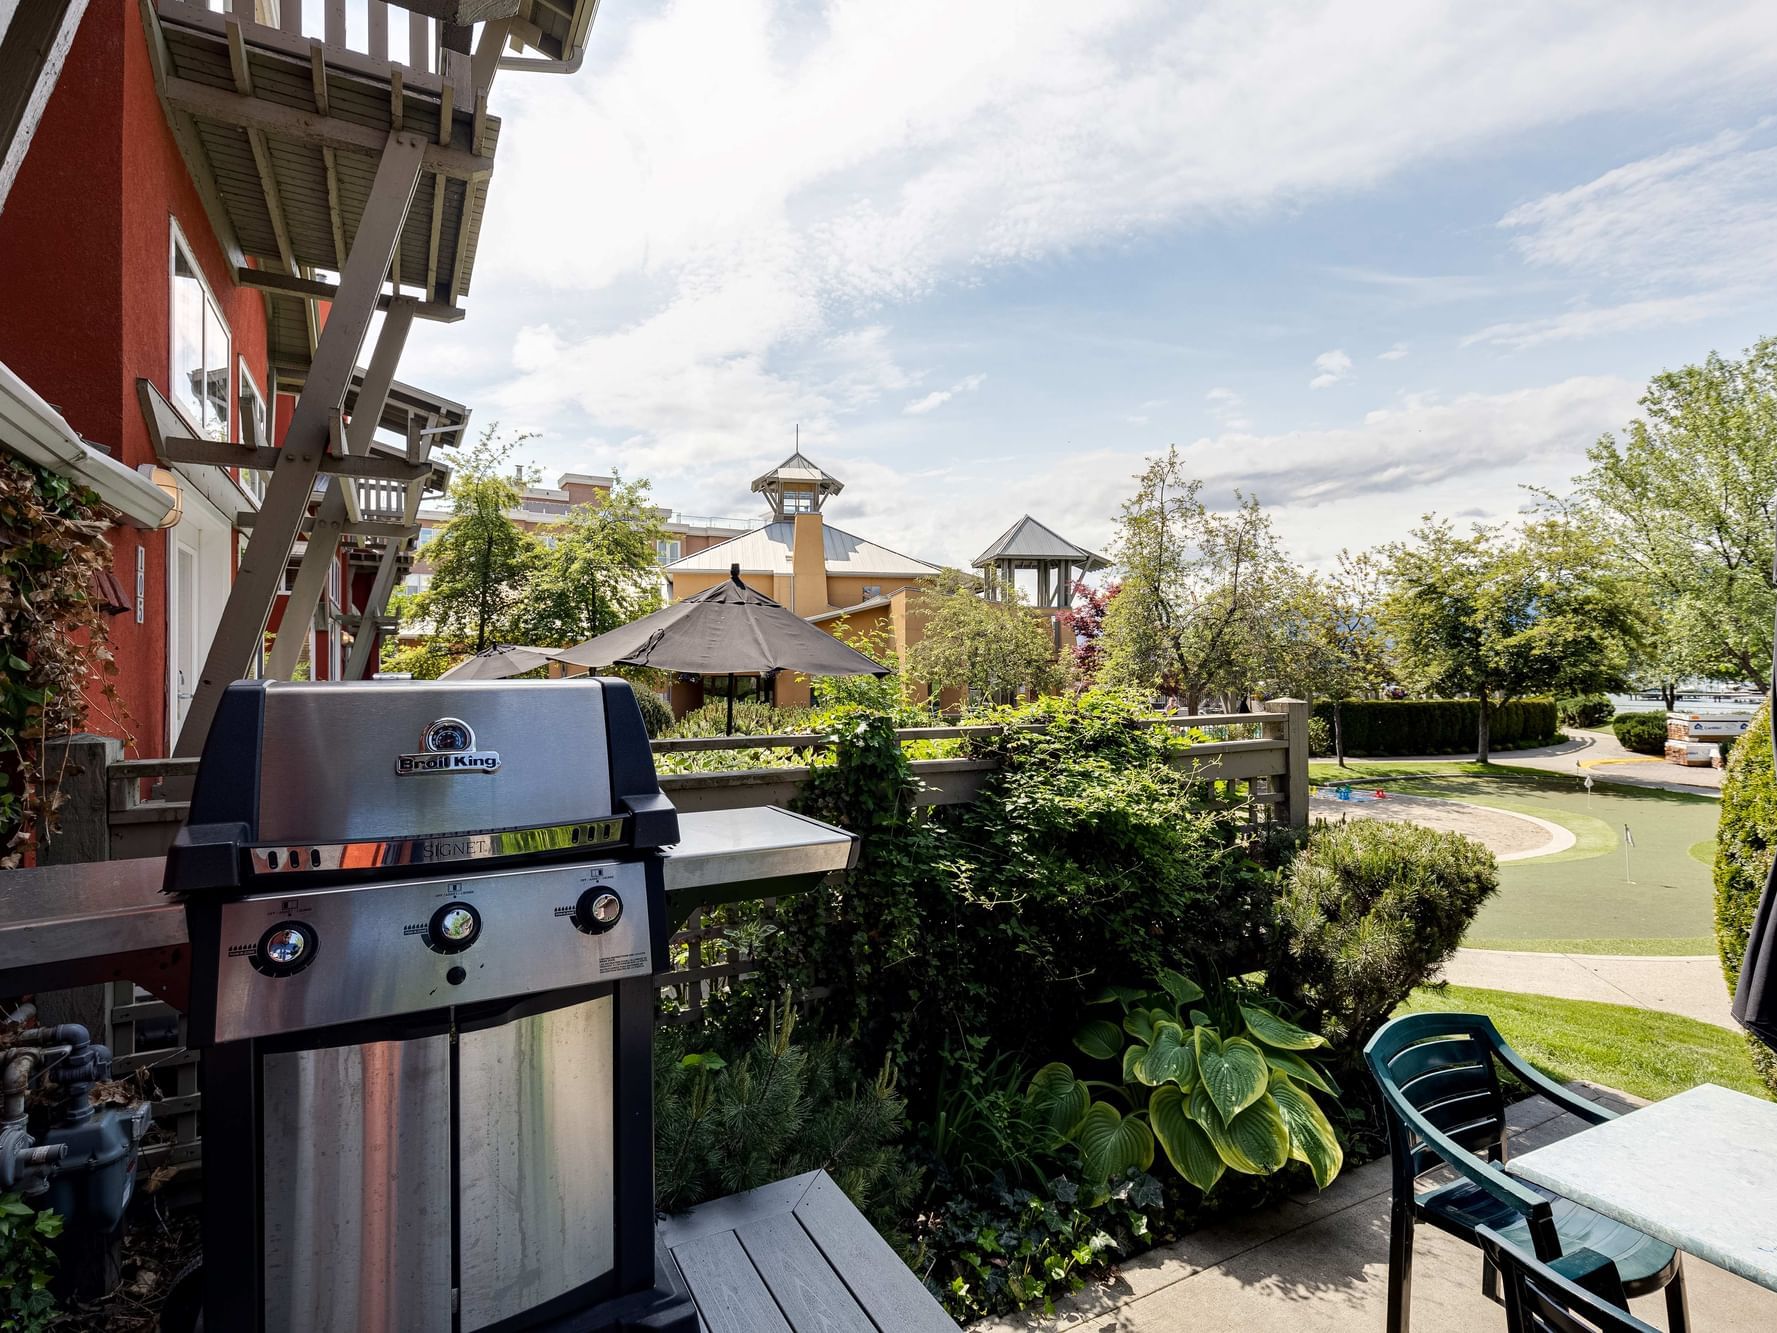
824	573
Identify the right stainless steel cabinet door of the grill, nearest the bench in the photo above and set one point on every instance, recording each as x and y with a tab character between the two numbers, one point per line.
536	1128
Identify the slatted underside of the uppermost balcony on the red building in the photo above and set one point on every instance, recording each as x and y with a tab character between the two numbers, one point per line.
282	136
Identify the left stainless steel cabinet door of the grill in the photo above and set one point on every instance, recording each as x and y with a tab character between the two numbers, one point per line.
356	1161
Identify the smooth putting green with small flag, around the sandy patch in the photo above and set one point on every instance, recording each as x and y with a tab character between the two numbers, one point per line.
1581	900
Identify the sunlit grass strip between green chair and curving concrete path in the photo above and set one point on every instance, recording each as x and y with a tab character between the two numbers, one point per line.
1639	1051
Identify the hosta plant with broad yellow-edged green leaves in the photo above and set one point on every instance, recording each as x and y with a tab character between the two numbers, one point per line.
1218	1083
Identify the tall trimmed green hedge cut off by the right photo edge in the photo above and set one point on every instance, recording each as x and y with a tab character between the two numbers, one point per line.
1744	843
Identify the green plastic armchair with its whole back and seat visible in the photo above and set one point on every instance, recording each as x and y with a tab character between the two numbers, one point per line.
1440	1083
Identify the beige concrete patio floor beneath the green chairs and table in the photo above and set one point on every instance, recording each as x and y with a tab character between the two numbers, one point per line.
1319	1265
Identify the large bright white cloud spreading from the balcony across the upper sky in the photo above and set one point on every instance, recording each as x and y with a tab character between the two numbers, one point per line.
753	188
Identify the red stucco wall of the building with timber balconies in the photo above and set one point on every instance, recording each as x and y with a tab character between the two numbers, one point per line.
84	257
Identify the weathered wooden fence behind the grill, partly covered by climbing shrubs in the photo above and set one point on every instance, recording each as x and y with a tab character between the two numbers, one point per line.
127	817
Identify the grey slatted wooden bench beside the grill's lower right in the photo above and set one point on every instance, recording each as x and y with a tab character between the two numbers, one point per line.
795	1257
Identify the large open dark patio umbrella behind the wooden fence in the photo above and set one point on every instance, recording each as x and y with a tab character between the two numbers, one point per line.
728	630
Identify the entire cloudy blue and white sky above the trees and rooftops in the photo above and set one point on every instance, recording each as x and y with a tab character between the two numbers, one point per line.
1362	260
